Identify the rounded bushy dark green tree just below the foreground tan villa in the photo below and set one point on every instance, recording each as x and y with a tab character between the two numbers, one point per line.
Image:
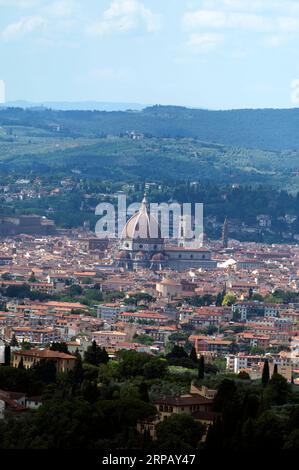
179	431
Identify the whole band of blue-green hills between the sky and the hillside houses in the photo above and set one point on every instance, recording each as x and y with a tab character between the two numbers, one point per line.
169	143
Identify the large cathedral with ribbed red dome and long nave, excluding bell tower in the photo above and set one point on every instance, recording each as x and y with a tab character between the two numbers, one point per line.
142	247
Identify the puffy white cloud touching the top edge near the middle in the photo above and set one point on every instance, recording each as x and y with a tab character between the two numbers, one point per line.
123	16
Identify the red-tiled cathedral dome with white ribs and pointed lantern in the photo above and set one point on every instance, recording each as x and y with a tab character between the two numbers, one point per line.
142	225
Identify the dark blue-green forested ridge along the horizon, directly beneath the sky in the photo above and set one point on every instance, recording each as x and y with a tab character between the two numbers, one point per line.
266	129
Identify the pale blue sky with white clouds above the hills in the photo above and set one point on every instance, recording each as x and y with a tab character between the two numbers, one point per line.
215	54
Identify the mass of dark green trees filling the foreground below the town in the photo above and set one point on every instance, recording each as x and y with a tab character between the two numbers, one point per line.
98	406
